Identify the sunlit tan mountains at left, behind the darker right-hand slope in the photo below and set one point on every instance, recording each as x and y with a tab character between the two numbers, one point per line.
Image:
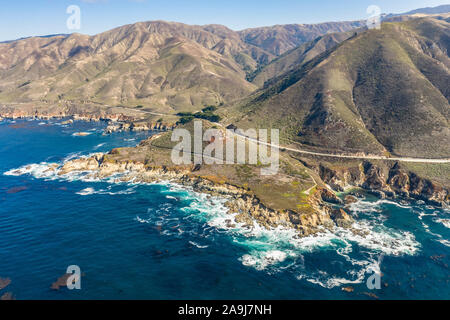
165	66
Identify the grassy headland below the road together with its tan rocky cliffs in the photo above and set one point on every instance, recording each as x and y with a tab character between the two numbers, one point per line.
302	196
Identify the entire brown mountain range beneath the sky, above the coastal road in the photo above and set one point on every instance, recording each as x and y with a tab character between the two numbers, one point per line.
374	91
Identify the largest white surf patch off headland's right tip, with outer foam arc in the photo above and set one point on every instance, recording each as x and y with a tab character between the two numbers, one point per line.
280	248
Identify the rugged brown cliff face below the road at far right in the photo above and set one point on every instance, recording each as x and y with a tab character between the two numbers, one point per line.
385	180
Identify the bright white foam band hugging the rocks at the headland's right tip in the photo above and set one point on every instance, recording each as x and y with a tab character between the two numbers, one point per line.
368	234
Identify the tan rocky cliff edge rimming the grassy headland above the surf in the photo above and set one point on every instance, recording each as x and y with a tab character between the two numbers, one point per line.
328	210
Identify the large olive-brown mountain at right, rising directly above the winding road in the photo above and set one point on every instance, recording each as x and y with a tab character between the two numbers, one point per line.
380	91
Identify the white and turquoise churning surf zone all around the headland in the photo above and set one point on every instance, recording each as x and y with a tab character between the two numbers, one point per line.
356	251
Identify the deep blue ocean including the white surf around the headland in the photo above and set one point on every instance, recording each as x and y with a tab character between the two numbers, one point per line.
161	241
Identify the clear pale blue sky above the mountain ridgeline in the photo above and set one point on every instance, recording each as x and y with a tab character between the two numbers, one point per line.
23	18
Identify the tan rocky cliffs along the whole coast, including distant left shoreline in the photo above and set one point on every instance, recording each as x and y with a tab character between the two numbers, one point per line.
327	212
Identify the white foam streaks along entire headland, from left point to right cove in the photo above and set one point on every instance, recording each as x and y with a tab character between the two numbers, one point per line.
269	250
